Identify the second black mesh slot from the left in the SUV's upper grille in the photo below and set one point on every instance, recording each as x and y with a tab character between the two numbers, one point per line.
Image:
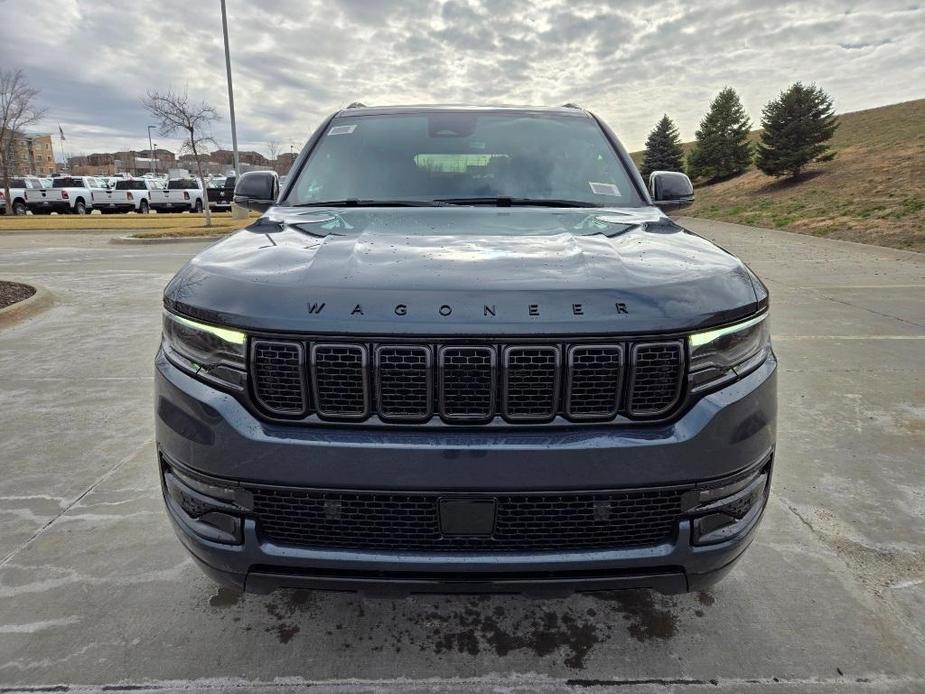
339	377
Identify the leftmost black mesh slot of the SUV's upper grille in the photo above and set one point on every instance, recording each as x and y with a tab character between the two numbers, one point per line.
278	376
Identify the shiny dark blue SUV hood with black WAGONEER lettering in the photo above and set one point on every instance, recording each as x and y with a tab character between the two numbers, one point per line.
464	270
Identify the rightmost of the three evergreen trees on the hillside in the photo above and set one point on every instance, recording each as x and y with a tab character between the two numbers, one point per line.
797	128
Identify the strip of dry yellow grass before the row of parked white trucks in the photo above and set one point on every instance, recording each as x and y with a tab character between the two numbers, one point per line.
222	222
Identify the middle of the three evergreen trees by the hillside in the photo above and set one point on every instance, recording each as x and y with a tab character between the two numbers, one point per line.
722	148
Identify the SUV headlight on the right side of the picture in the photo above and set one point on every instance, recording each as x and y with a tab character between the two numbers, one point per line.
725	354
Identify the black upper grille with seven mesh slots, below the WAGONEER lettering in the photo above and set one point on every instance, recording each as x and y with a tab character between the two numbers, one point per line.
468	383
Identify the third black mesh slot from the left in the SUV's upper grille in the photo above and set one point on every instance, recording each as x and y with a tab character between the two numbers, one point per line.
404	382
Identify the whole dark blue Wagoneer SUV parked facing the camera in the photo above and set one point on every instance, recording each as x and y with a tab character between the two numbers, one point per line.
465	349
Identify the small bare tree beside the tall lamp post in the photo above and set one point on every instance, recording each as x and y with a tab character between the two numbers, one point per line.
175	112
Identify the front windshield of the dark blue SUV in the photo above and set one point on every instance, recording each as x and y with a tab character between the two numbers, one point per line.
459	156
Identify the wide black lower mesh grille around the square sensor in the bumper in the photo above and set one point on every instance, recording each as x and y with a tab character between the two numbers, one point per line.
546	521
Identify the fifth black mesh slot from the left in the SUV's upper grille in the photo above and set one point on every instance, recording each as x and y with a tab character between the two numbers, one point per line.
531	383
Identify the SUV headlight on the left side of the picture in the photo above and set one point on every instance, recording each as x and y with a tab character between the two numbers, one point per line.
209	352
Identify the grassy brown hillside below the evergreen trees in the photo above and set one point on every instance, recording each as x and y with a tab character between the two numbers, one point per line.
872	192
